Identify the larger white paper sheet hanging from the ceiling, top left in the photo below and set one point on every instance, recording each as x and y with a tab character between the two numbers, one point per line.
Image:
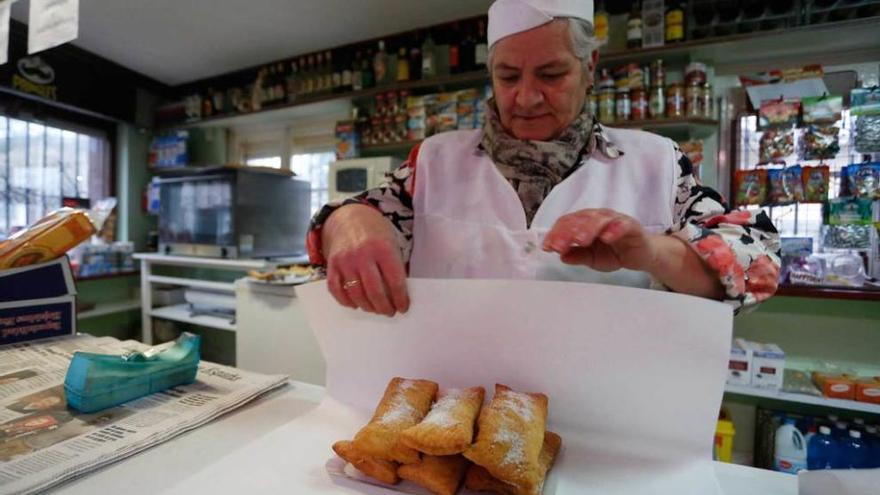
52	23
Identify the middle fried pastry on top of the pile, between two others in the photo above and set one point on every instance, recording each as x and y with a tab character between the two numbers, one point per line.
448	428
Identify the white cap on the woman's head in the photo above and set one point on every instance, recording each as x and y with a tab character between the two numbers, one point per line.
507	17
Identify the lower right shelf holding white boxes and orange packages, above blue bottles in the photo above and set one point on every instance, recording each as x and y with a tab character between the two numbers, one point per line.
761	370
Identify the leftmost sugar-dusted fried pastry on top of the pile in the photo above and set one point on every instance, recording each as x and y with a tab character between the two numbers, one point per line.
404	405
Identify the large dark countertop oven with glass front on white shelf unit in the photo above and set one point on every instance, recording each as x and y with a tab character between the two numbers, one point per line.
233	212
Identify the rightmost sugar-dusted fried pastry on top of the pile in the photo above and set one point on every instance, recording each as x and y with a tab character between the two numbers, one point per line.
510	437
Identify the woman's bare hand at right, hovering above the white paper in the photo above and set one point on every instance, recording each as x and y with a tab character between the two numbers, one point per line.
603	240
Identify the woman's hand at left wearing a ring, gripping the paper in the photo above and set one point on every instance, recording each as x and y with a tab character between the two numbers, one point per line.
364	265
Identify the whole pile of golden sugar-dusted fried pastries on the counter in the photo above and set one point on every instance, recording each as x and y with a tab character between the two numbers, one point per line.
431	442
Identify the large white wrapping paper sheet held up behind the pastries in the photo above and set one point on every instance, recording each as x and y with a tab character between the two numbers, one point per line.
635	377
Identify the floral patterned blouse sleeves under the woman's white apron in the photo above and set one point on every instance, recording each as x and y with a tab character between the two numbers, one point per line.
741	247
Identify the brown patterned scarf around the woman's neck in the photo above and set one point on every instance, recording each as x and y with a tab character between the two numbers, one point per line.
533	168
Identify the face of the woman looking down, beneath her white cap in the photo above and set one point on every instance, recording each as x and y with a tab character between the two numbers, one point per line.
539	84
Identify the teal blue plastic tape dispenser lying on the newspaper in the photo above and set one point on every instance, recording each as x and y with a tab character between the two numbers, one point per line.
98	381
